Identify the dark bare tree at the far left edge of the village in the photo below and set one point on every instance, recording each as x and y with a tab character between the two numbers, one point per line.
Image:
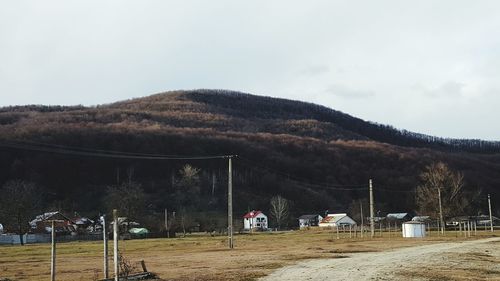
18	204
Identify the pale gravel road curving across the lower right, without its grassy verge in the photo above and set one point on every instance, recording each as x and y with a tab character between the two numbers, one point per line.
388	265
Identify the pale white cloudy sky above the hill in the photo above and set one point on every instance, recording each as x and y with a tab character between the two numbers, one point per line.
428	66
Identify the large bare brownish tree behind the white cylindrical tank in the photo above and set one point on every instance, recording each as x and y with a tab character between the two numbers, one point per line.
439	182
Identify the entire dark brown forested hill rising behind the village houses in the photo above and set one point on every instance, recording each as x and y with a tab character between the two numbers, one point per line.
310	154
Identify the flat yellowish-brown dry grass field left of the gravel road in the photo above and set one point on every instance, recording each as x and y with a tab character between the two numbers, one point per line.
198	257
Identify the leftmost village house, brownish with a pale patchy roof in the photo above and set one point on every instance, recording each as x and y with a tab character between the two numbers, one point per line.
43	223
